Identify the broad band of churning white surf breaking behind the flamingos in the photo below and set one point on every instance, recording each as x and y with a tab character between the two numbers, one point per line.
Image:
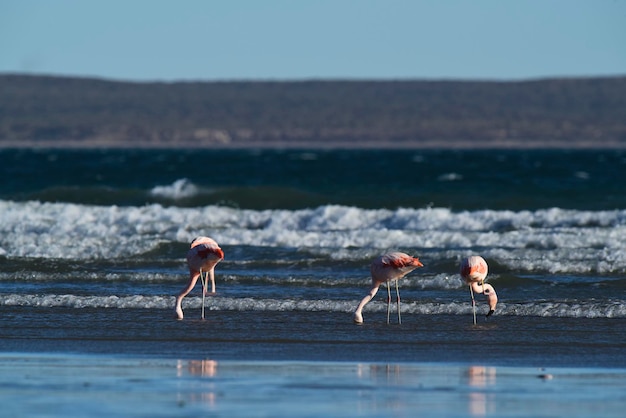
549	240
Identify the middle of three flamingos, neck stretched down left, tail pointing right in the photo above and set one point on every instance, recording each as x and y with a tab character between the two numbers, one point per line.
385	269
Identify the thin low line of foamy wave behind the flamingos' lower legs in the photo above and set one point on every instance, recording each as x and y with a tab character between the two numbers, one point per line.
559	309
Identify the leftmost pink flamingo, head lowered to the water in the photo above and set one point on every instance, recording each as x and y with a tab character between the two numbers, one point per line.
202	257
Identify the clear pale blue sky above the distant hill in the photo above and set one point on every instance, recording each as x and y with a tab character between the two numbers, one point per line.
145	40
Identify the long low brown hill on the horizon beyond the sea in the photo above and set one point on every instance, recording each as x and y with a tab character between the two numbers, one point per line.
52	111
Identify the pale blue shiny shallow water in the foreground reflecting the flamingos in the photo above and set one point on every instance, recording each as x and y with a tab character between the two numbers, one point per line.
53	385
